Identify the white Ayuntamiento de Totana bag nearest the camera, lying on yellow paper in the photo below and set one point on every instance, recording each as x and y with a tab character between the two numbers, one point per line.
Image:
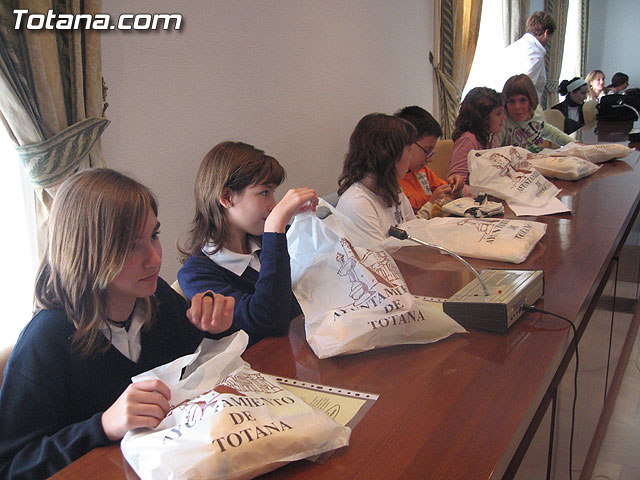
227	421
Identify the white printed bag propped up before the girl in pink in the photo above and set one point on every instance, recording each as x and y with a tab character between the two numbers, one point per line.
506	173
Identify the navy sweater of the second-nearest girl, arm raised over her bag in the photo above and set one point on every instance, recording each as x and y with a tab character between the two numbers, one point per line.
265	303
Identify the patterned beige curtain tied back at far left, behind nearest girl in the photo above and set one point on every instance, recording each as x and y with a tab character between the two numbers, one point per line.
51	97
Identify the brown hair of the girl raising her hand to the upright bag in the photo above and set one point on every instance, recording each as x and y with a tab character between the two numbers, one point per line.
232	165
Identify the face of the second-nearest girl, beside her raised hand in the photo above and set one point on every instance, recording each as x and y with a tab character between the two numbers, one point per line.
250	207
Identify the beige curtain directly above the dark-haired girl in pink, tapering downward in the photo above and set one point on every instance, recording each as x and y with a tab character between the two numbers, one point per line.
458	25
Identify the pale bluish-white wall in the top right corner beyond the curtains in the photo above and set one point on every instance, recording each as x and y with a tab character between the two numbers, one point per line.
614	34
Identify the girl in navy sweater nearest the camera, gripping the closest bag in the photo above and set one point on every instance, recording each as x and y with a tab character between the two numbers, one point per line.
103	317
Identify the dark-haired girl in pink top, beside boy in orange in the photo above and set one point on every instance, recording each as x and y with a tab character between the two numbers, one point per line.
479	120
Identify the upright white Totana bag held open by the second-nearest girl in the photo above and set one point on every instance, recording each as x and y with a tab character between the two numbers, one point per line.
354	298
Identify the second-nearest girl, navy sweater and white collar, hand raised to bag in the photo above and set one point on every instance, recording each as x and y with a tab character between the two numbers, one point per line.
237	244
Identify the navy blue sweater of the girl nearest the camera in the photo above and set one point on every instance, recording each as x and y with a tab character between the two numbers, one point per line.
52	400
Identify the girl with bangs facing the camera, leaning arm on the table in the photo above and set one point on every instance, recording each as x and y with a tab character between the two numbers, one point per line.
525	125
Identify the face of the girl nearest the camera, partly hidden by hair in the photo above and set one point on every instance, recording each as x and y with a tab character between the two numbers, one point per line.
139	276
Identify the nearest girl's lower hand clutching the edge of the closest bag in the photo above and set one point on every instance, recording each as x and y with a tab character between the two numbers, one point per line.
142	404
